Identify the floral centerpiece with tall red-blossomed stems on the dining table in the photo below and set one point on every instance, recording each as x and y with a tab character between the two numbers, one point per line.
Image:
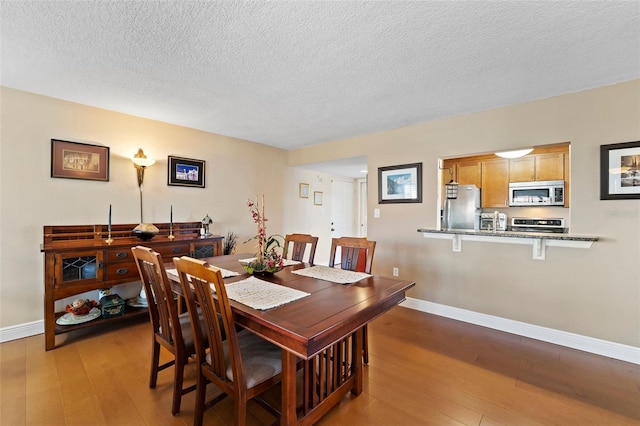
268	258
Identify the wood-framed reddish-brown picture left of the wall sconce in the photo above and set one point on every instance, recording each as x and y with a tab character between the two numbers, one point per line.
75	160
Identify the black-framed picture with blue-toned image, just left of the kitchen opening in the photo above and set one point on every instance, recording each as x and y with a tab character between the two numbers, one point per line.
400	184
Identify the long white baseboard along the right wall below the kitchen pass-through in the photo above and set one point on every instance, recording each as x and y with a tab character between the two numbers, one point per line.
563	338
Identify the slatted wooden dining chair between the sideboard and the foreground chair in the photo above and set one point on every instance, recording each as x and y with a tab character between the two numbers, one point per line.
171	331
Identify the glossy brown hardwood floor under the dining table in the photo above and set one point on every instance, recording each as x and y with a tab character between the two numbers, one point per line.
423	370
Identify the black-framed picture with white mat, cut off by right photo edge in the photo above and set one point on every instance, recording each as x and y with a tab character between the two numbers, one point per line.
620	171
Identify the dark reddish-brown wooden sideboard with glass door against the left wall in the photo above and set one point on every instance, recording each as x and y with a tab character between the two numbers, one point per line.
77	259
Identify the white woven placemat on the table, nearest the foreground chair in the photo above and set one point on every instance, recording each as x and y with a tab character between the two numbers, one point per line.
262	295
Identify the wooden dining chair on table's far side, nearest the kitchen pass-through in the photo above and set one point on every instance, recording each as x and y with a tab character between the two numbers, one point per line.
356	254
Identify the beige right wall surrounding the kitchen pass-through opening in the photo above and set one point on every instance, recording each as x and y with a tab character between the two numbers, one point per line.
593	292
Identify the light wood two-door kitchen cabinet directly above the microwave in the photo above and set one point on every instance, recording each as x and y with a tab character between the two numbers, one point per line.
537	167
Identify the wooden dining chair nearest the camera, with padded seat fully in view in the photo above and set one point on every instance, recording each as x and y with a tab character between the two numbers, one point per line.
244	365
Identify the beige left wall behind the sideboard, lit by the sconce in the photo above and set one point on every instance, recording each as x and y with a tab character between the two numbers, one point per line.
30	198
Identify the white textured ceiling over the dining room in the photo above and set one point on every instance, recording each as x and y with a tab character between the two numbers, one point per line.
294	74
